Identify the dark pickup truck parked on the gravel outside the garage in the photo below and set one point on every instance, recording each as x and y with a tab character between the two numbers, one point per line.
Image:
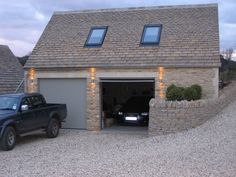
22	113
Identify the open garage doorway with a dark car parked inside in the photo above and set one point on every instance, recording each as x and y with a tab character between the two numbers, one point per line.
125	102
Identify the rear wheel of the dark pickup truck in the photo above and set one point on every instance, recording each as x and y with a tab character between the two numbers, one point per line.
53	128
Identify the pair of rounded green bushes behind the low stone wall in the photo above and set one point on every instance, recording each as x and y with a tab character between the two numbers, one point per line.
174	93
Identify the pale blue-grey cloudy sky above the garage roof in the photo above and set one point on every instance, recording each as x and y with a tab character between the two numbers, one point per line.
23	21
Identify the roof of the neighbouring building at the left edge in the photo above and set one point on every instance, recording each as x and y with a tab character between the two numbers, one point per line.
11	72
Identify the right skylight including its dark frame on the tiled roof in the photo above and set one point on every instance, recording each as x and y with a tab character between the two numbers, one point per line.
151	34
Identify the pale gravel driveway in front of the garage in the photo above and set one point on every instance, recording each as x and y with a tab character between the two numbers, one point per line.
208	150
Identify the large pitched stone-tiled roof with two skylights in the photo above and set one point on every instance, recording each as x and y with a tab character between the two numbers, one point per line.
190	38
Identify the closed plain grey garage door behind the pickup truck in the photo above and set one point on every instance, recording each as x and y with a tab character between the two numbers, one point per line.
72	92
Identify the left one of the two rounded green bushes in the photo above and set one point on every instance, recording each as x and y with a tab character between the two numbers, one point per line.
174	93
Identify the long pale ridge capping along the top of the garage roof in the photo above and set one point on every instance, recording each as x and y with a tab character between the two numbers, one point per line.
137	8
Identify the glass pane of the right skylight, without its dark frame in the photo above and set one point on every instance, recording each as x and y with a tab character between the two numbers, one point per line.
151	34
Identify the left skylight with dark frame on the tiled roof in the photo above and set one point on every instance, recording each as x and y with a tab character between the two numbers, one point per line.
96	36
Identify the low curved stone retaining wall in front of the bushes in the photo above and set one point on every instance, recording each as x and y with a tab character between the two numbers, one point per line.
174	116
